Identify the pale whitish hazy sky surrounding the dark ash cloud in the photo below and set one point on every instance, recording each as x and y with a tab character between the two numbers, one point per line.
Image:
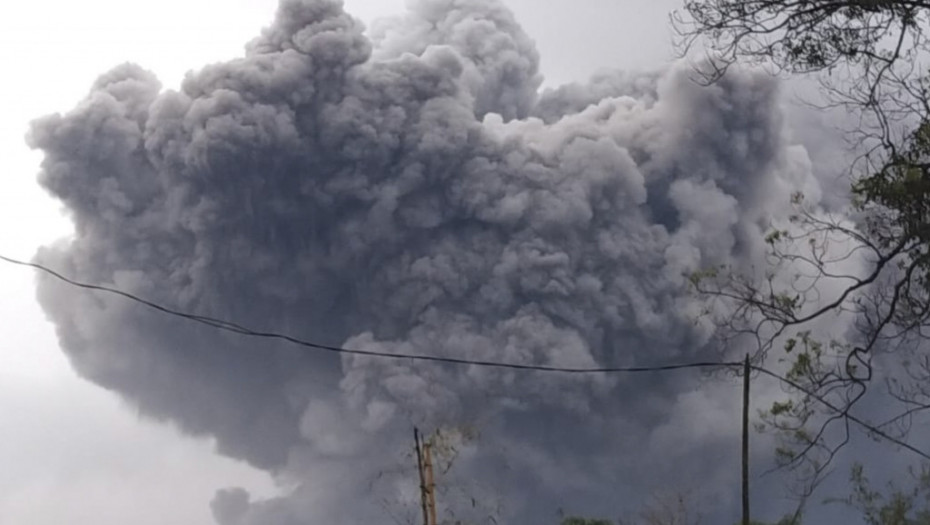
70	451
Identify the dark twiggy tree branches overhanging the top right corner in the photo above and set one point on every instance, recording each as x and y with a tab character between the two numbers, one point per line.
868	52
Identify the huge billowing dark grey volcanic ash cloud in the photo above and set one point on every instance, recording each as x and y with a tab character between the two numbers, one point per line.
412	189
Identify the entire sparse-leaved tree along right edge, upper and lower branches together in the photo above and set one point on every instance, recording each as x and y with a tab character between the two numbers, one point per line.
869	266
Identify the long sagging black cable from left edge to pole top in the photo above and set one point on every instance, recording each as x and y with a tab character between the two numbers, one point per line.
236	328
